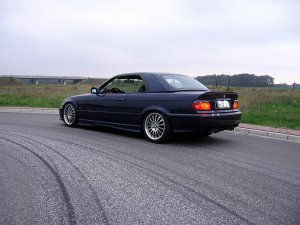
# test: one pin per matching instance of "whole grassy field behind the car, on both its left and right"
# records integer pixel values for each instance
(261, 106)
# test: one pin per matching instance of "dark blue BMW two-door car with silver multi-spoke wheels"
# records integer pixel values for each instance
(156, 104)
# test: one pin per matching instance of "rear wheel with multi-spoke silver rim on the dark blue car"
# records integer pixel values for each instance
(156, 127)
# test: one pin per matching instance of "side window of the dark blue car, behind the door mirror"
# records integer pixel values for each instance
(124, 84)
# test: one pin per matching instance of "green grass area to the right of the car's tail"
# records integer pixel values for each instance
(269, 107)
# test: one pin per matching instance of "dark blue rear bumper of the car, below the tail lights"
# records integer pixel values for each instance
(212, 121)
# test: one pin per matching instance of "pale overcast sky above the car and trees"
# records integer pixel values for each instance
(99, 38)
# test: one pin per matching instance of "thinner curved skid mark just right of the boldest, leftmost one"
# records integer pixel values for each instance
(97, 200)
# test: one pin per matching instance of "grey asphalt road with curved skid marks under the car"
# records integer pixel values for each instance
(52, 174)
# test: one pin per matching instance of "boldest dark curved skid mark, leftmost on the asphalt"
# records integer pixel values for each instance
(65, 195)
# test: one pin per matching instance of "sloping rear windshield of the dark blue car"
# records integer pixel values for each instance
(182, 82)
